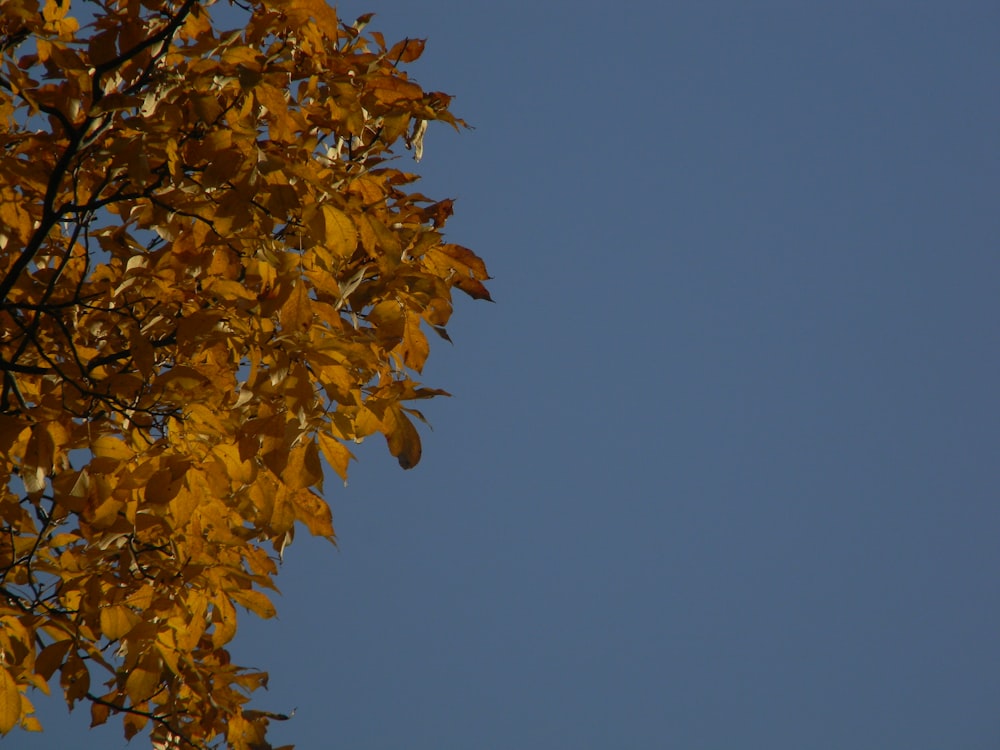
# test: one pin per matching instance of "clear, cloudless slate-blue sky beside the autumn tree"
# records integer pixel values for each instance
(722, 465)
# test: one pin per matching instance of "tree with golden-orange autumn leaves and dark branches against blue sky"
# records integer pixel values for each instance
(214, 273)
